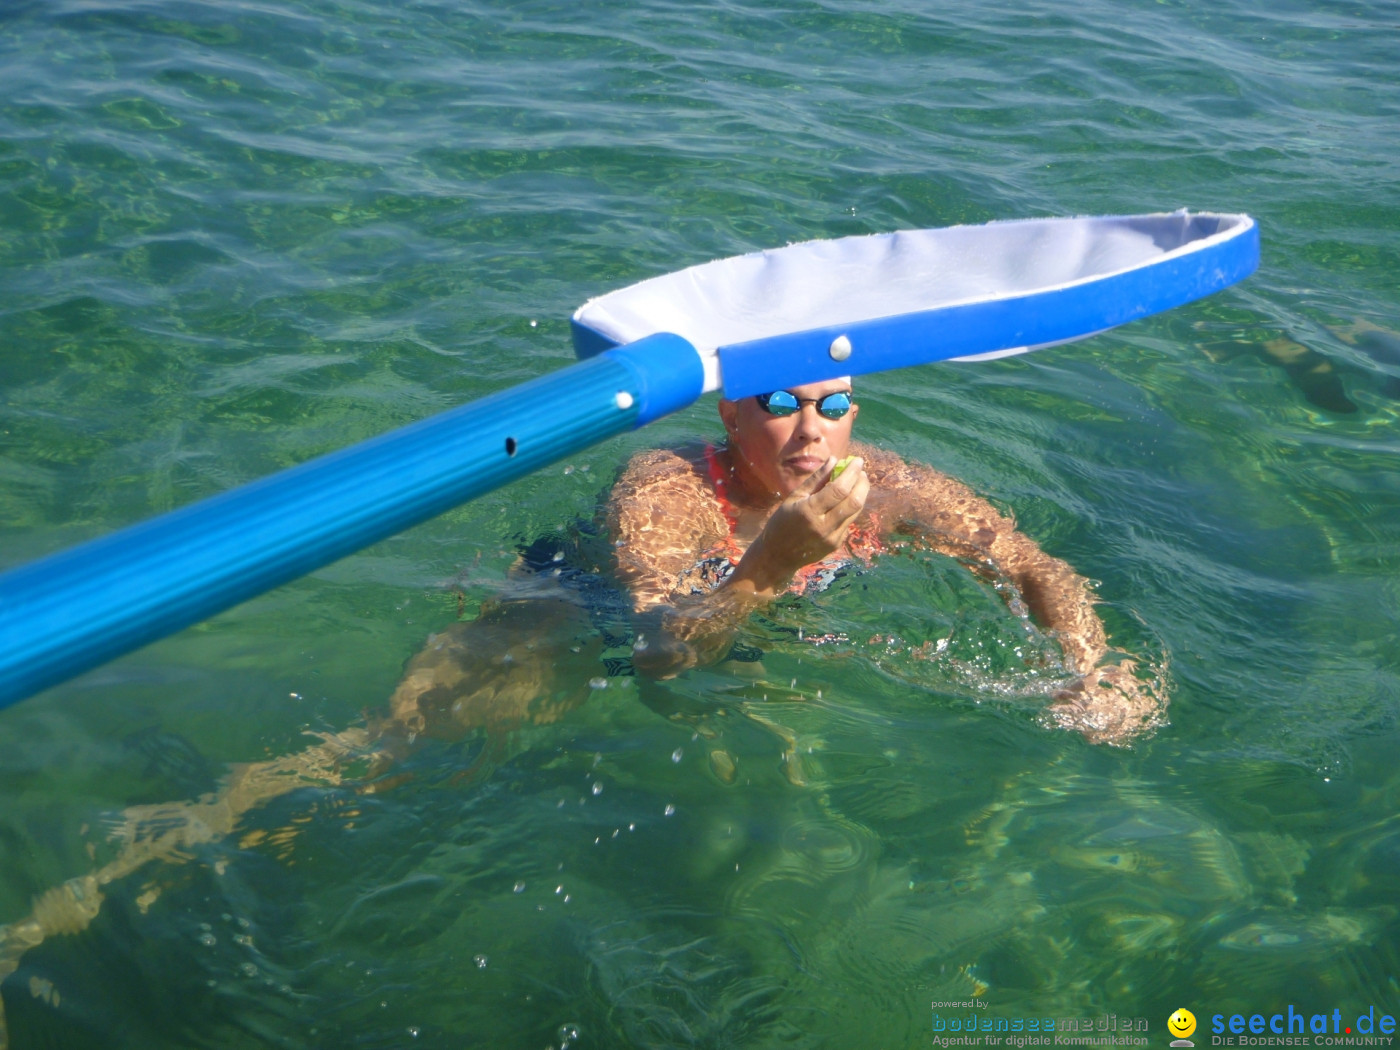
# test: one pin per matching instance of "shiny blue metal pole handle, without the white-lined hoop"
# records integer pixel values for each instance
(69, 612)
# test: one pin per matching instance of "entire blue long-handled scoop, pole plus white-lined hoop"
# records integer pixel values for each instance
(747, 325)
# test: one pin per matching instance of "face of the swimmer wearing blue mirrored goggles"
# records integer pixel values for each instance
(776, 454)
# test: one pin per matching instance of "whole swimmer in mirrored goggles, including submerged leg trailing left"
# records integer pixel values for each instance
(702, 540)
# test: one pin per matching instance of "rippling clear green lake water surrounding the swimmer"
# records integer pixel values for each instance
(237, 236)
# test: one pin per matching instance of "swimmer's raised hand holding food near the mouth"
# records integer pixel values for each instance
(808, 526)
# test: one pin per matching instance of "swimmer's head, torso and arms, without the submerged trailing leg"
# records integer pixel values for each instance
(706, 538)
